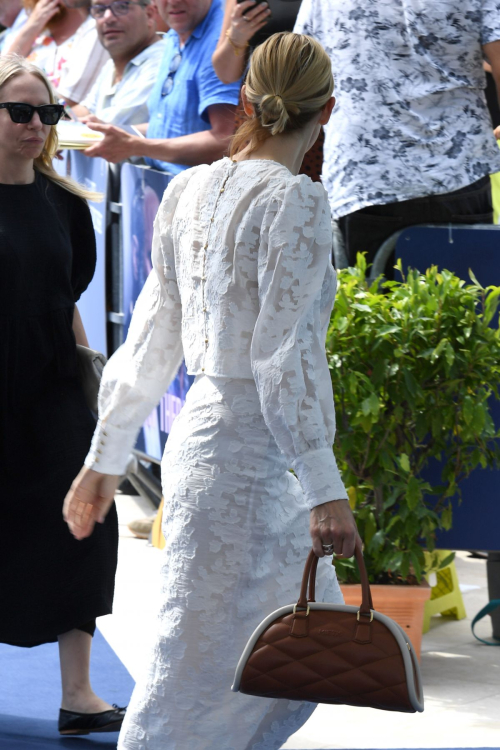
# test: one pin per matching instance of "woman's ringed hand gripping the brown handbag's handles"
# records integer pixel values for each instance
(333, 523)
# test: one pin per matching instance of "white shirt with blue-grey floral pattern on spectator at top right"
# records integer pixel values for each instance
(411, 116)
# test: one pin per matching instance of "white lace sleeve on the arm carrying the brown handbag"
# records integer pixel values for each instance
(288, 345)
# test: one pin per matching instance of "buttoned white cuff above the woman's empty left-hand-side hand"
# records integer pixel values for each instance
(110, 449)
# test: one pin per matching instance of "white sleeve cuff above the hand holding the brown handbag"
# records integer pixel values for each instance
(319, 477)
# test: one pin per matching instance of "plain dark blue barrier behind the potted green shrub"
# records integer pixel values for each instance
(476, 521)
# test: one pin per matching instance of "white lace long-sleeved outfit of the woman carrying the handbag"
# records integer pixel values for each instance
(242, 287)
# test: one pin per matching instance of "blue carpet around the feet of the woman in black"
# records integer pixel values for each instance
(30, 696)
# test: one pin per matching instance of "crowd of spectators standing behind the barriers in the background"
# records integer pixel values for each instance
(411, 135)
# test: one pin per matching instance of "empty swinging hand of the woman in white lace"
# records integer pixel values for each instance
(88, 501)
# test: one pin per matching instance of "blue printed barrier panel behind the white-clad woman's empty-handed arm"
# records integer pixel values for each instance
(141, 191)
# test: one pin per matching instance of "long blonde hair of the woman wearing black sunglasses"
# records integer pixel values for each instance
(12, 66)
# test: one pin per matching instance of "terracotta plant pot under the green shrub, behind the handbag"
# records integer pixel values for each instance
(404, 604)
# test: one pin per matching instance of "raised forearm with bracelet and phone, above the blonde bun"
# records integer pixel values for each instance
(241, 23)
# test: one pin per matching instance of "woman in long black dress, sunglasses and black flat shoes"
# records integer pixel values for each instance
(52, 587)
